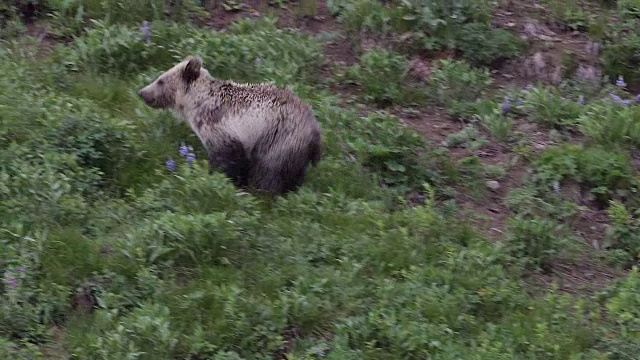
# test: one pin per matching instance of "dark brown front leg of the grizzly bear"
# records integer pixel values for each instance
(230, 157)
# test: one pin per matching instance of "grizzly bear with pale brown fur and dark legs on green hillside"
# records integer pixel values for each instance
(261, 136)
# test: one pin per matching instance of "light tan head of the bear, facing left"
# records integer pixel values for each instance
(162, 93)
